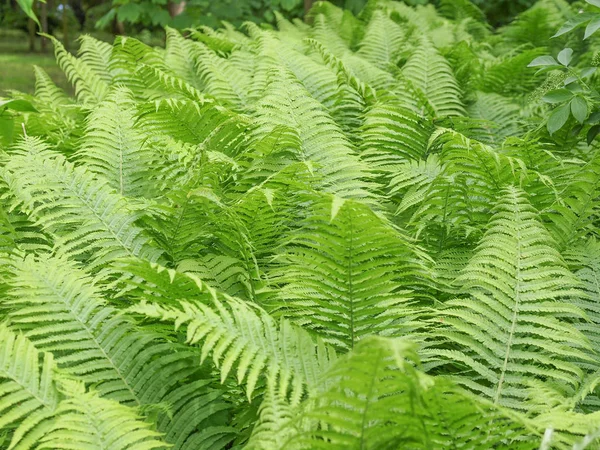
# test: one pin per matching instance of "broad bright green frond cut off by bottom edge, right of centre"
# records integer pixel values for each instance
(376, 399)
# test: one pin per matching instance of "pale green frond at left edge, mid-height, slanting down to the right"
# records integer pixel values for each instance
(89, 219)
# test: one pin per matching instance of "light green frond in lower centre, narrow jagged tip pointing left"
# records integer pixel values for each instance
(242, 335)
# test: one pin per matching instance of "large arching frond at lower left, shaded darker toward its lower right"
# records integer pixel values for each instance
(60, 309)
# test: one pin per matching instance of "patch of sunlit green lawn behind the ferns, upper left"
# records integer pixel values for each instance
(16, 64)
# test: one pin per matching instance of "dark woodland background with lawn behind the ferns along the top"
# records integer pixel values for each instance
(21, 47)
